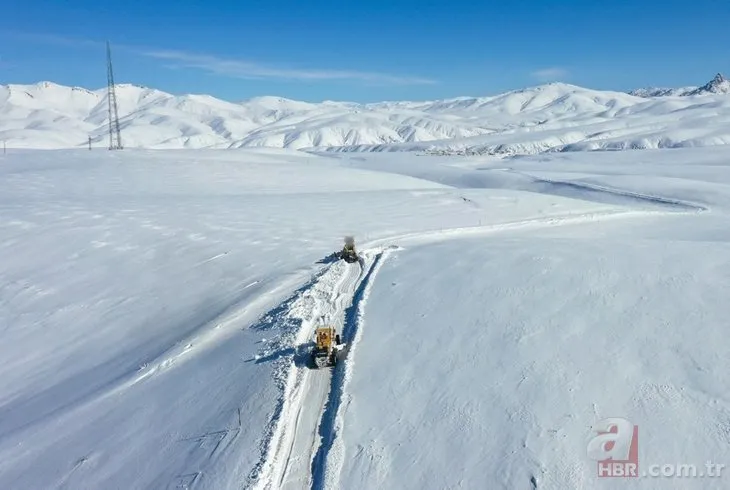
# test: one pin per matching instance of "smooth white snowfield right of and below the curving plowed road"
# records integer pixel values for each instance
(484, 362)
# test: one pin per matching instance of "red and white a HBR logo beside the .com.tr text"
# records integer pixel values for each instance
(615, 448)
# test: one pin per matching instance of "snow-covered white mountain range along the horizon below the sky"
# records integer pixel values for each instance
(553, 117)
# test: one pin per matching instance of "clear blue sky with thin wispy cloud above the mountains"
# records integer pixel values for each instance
(365, 51)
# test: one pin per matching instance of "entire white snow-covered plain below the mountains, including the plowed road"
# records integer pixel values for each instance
(156, 307)
